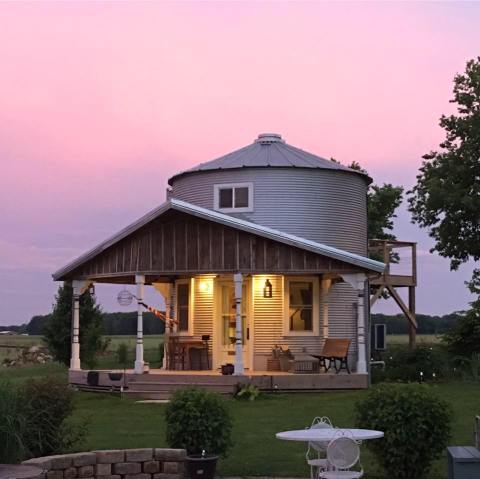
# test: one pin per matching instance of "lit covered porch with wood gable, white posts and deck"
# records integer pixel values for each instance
(231, 288)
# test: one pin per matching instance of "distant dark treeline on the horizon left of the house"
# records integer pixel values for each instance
(113, 323)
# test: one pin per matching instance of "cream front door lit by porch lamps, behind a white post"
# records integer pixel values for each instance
(226, 322)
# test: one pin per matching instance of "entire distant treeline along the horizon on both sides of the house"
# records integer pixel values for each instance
(126, 324)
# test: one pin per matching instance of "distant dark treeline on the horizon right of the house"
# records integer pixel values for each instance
(398, 324)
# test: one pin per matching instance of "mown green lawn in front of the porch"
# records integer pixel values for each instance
(123, 423)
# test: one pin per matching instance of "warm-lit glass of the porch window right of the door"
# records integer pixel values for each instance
(301, 306)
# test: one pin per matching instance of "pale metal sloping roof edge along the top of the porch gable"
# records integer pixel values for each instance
(226, 220)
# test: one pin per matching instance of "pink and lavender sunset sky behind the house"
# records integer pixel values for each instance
(101, 102)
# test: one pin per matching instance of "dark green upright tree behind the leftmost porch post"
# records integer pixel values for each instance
(57, 332)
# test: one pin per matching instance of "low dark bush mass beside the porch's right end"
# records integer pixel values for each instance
(404, 364)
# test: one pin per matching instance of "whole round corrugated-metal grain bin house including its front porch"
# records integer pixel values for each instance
(263, 247)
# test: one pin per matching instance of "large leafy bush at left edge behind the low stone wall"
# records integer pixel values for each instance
(35, 420)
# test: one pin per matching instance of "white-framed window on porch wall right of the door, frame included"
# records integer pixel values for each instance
(301, 306)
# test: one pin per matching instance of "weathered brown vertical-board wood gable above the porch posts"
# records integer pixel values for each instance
(180, 244)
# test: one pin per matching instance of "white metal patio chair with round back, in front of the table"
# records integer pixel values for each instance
(343, 453)
